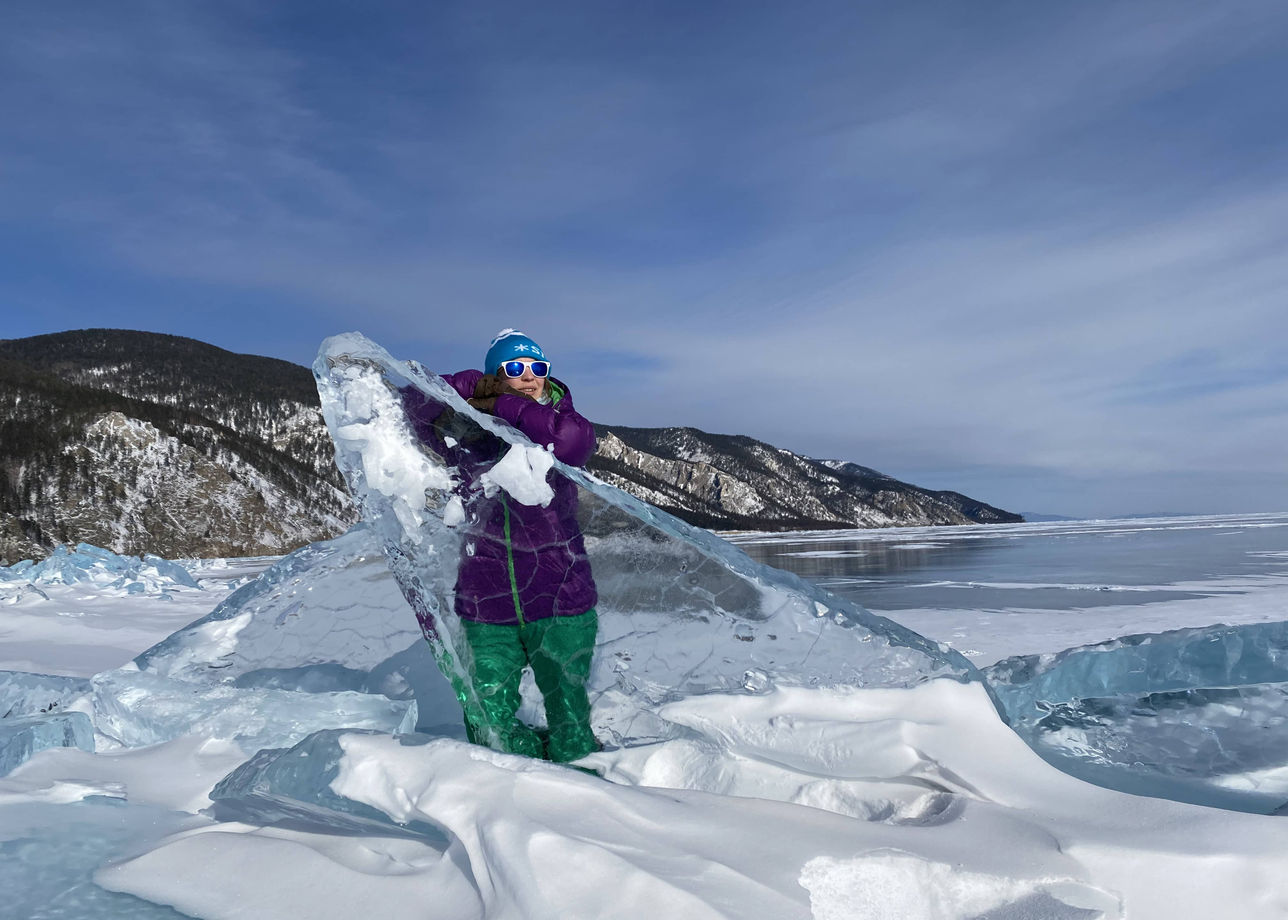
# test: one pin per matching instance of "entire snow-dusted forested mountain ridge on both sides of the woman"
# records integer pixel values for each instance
(145, 443)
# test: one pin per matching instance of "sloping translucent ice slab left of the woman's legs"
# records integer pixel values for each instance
(321, 640)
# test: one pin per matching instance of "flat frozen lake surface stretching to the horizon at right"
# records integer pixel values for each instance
(994, 592)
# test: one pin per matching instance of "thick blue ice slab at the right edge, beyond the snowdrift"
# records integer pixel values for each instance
(1193, 714)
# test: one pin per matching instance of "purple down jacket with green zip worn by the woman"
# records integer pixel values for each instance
(518, 562)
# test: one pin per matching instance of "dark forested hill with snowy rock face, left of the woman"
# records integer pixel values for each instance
(144, 443)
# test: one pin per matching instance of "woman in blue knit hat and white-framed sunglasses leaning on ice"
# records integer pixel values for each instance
(525, 593)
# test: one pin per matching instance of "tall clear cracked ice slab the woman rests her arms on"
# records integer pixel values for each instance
(682, 611)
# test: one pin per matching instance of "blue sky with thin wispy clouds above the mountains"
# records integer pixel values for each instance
(1037, 253)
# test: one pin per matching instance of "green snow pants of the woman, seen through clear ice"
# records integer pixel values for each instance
(560, 651)
